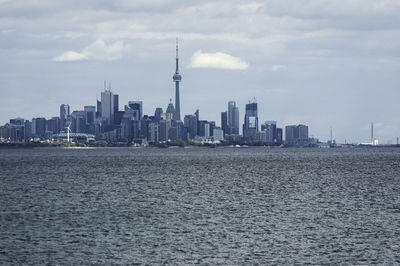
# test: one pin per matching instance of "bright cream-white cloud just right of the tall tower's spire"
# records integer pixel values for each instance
(216, 60)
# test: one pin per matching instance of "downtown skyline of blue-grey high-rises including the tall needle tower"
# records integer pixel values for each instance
(106, 122)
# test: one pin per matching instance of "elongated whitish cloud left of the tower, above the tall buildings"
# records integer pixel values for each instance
(98, 50)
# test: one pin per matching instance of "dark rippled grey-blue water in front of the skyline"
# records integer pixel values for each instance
(208, 206)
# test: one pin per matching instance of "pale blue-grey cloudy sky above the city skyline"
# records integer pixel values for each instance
(319, 62)
